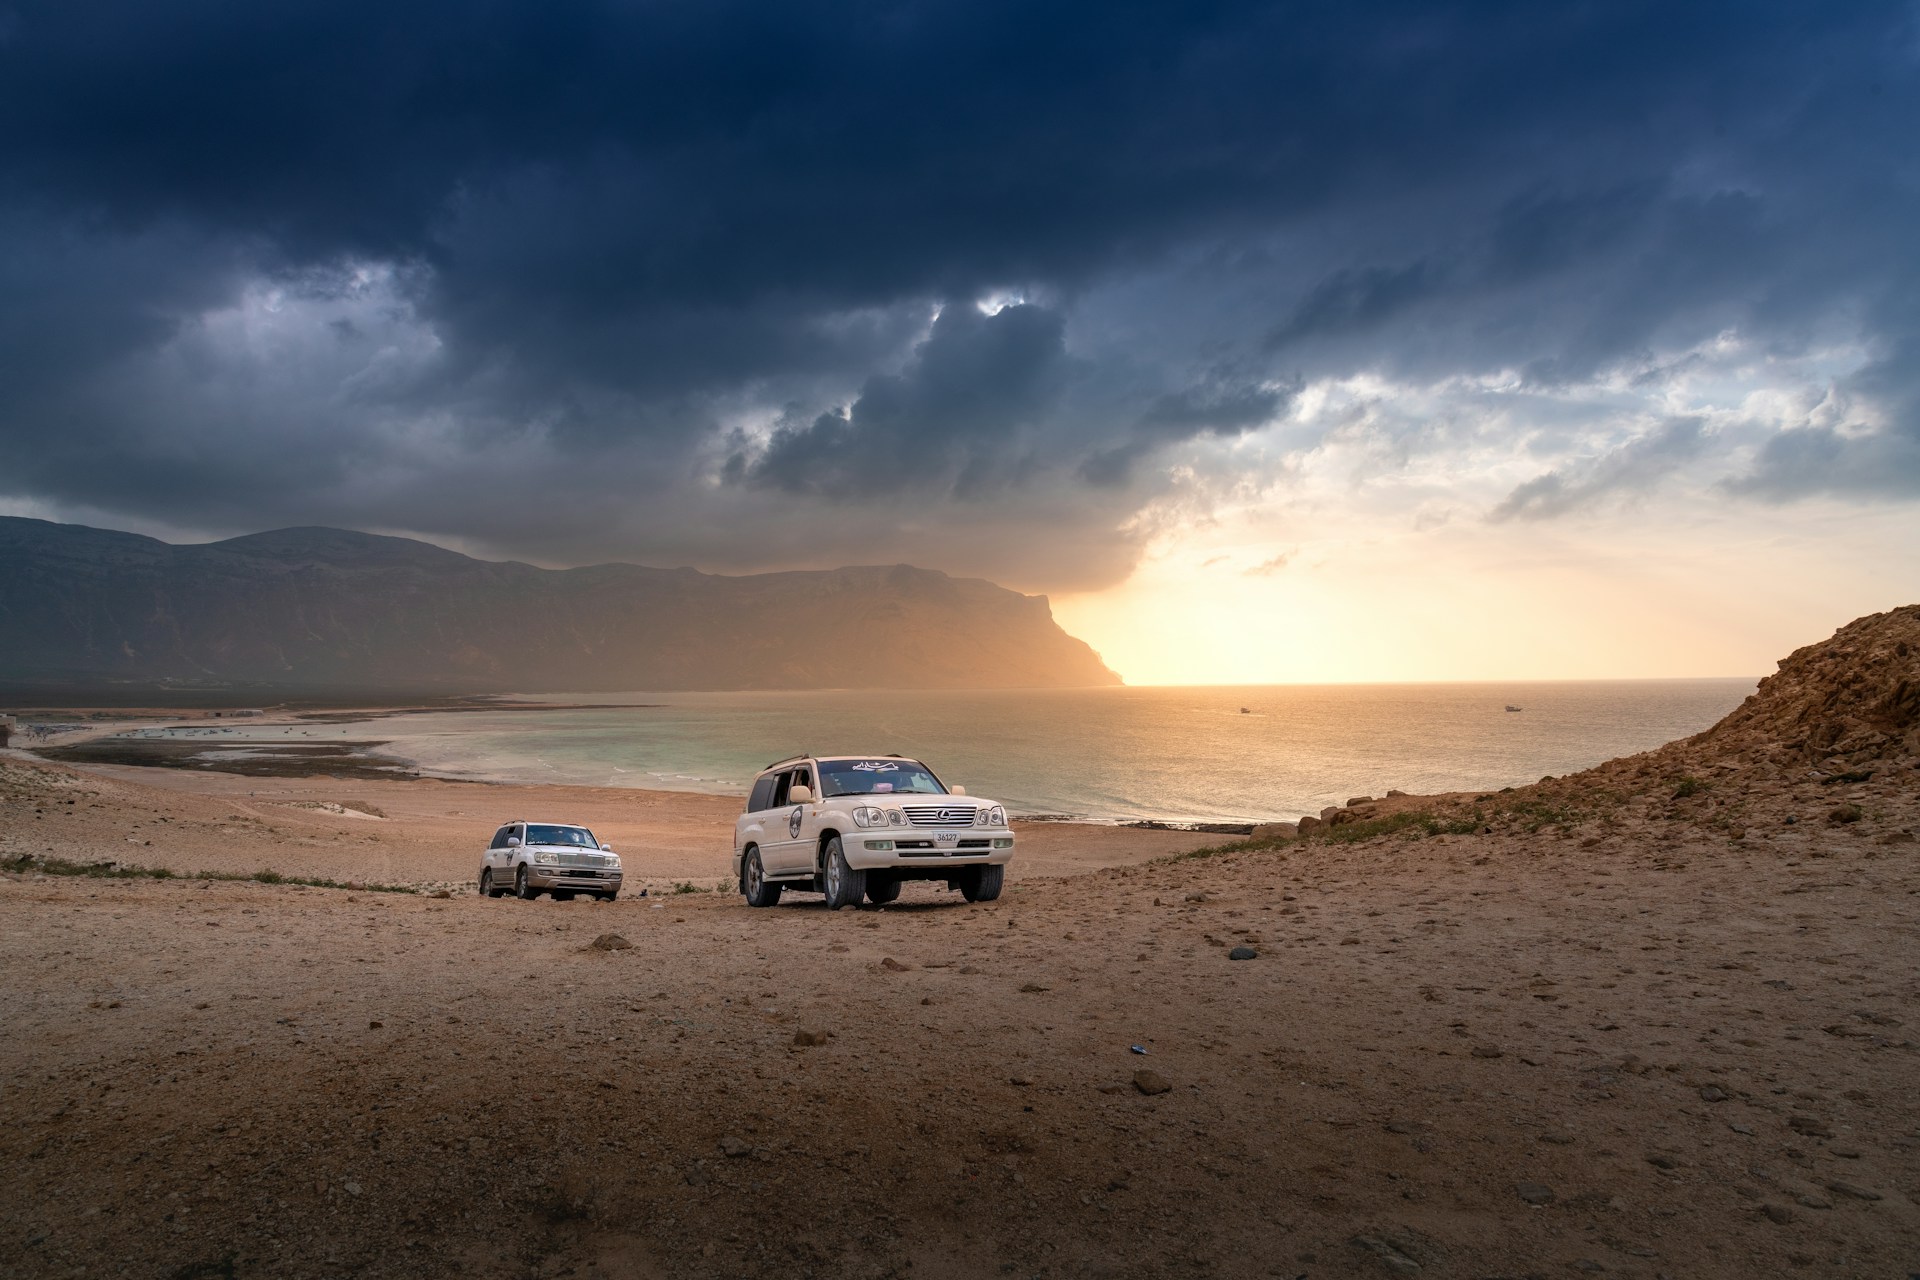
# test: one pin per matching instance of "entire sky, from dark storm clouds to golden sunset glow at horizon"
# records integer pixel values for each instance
(1274, 343)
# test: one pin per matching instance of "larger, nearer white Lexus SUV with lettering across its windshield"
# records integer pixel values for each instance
(863, 826)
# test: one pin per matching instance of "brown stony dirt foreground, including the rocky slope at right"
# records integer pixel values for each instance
(1658, 1020)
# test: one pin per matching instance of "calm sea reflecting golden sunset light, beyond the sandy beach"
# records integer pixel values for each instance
(1178, 755)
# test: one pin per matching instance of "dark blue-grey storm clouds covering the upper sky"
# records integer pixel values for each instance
(347, 262)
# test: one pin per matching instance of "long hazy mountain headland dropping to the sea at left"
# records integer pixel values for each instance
(341, 611)
